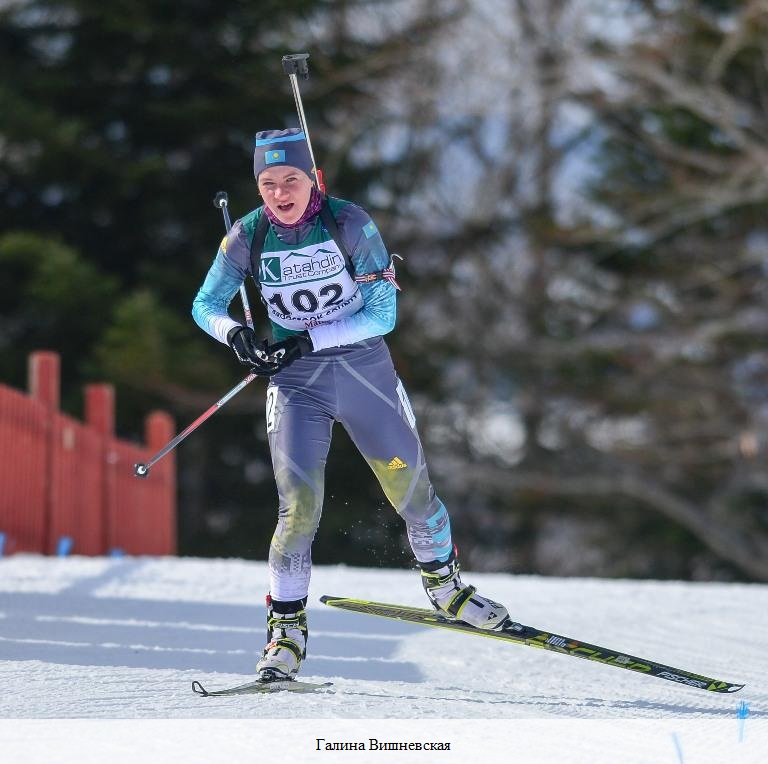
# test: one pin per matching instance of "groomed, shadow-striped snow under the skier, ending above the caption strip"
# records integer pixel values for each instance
(94, 638)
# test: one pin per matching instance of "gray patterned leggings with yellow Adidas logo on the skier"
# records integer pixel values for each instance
(357, 386)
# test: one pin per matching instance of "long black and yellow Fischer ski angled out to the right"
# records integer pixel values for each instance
(528, 635)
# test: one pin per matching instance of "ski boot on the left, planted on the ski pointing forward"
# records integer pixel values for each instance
(286, 640)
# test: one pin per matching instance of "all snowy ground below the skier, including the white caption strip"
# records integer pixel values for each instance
(97, 657)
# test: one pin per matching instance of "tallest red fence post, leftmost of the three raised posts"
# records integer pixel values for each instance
(44, 381)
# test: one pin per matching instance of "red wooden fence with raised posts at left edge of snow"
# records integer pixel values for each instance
(65, 479)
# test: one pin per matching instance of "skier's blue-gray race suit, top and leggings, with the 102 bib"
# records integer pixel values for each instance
(349, 378)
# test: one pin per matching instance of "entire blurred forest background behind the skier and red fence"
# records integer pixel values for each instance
(579, 190)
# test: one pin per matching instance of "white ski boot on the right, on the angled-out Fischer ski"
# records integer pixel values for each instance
(457, 601)
